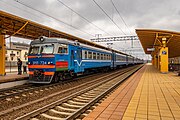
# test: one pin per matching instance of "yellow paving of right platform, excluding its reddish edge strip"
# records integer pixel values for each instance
(157, 97)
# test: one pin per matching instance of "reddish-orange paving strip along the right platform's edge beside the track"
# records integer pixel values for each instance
(115, 105)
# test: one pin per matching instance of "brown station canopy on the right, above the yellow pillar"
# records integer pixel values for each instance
(152, 38)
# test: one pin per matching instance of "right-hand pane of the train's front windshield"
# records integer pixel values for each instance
(47, 49)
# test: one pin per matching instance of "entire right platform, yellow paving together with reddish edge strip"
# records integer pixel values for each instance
(148, 94)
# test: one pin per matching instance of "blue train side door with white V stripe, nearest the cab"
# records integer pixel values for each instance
(78, 60)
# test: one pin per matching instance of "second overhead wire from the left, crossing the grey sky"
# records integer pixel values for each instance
(83, 17)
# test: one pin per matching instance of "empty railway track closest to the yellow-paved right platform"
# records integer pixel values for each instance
(74, 105)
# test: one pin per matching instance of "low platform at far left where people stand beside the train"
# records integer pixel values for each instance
(11, 77)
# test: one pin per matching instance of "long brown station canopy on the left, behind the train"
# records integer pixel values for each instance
(19, 27)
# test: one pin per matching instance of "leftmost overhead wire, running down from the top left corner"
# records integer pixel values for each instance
(51, 17)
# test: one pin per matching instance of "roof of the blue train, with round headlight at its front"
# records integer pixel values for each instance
(67, 41)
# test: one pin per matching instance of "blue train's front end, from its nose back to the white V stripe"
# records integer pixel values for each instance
(62, 60)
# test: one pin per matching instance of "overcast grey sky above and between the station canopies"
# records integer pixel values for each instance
(85, 19)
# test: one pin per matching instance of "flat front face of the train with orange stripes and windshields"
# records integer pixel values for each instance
(41, 63)
